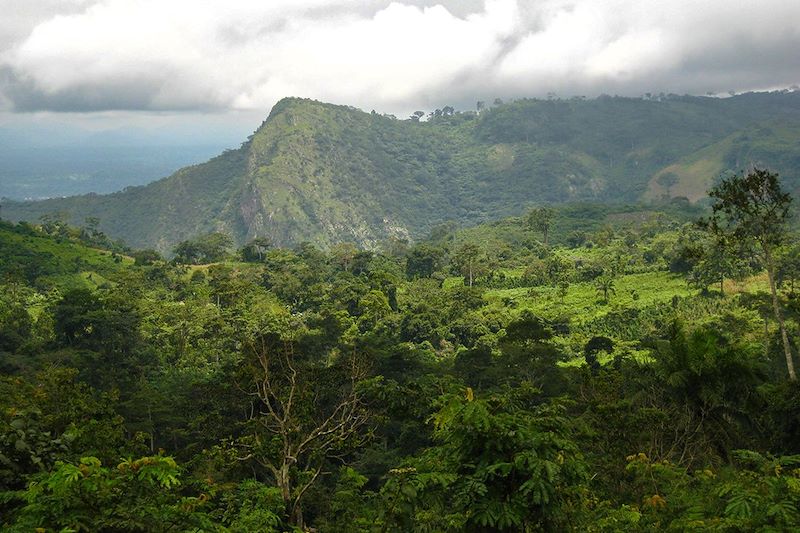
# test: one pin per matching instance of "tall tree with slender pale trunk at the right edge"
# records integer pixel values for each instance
(751, 211)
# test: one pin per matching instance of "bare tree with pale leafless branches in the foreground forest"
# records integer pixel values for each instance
(311, 412)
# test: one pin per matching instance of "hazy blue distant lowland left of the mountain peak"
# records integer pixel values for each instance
(48, 155)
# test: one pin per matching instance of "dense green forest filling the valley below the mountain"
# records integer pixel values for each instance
(619, 375)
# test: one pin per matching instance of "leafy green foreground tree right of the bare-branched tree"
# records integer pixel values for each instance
(497, 464)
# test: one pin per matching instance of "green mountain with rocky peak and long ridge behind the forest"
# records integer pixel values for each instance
(328, 173)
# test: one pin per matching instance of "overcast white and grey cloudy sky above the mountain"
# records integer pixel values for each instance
(108, 62)
